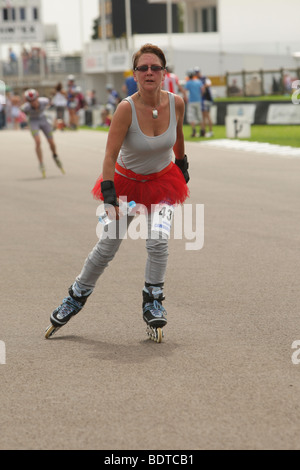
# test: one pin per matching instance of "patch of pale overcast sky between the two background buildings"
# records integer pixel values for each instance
(66, 14)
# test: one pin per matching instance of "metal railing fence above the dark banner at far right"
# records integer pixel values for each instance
(261, 82)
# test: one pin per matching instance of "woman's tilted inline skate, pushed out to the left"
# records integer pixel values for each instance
(70, 306)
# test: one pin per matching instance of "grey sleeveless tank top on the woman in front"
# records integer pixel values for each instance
(144, 154)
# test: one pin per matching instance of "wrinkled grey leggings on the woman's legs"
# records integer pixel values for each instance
(105, 250)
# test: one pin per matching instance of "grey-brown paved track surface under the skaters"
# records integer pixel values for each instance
(226, 375)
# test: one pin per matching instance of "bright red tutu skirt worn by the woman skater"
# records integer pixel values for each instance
(170, 187)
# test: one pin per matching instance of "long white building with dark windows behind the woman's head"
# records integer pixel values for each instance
(219, 36)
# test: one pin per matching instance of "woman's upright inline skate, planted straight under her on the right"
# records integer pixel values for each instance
(153, 311)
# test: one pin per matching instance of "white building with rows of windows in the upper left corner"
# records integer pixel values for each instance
(29, 49)
